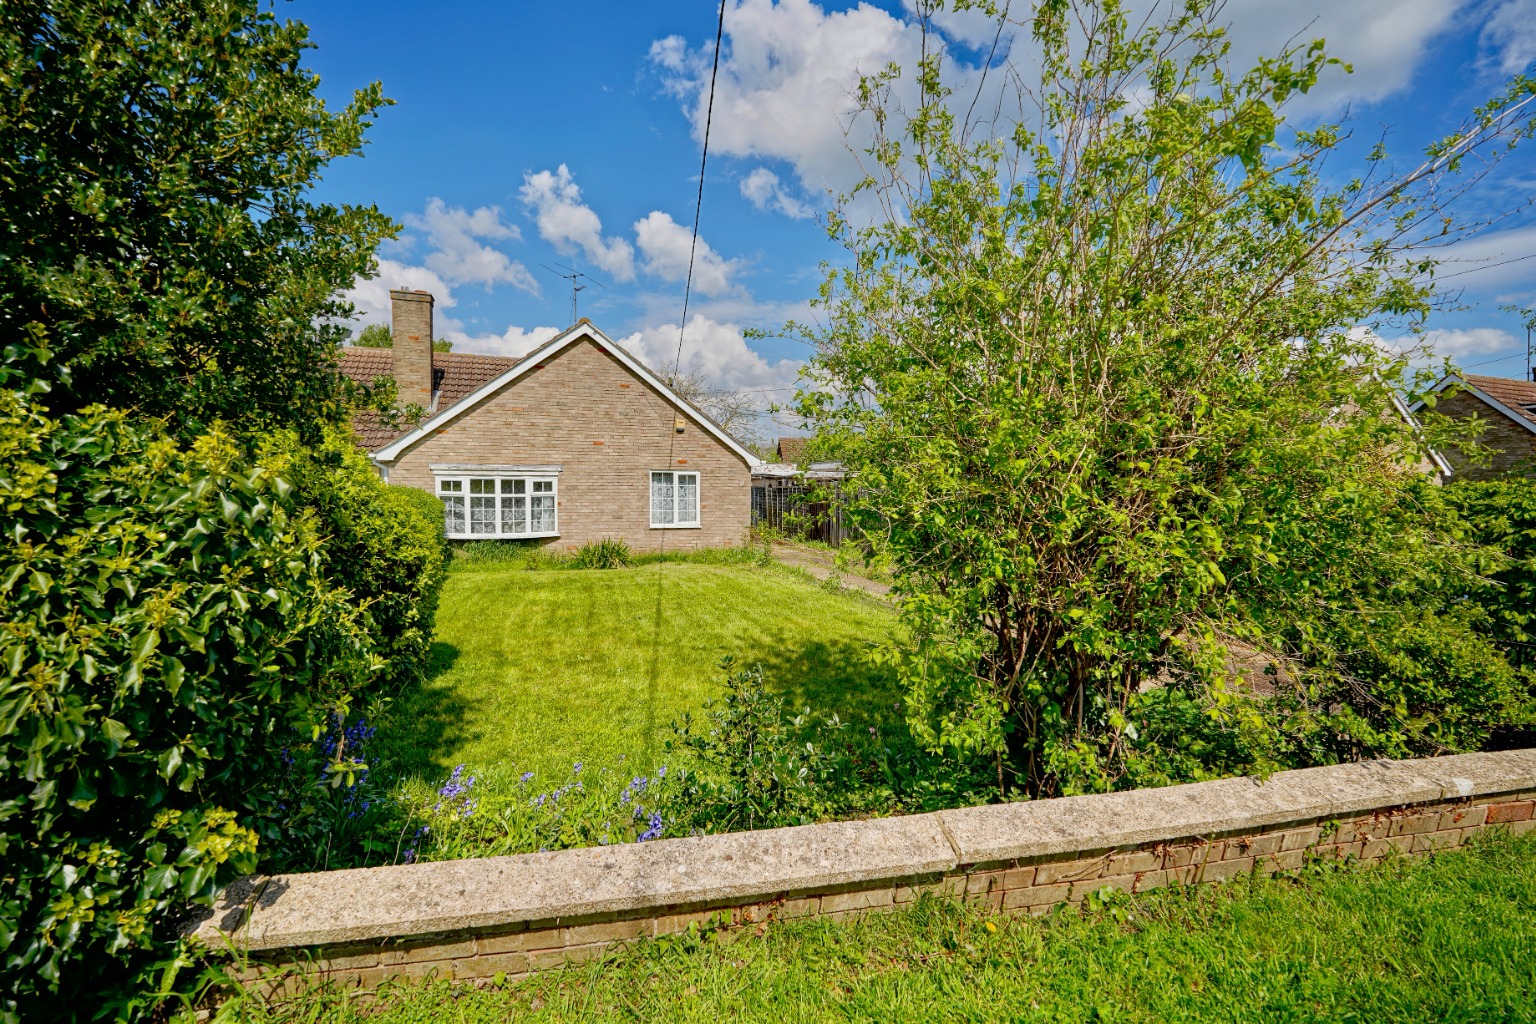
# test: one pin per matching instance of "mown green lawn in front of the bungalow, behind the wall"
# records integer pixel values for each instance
(537, 670)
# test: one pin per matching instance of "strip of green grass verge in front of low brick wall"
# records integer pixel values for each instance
(1445, 939)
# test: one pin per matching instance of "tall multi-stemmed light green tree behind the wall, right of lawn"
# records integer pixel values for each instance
(1099, 375)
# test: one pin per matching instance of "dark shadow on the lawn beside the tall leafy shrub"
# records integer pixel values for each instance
(829, 678)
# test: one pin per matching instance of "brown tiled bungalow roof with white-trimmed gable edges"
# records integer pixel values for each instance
(465, 385)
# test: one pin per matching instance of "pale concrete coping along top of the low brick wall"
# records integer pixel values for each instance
(506, 893)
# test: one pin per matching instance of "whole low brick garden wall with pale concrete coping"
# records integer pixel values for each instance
(512, 916)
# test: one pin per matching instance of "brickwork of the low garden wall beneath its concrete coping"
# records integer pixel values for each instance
(1015, 888)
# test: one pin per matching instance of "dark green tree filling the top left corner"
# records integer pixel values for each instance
(156, 233)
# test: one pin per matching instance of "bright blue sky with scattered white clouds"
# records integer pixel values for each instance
(529, 134)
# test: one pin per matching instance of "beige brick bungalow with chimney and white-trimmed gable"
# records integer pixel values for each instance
(574, 443)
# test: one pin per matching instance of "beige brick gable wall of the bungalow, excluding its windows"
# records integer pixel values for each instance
(586, 412)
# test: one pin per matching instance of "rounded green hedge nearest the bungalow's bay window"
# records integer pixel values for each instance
(385, 544)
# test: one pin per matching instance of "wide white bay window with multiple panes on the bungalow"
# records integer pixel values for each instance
(486, 503)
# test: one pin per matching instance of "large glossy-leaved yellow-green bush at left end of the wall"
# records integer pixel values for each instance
(168, 618)
